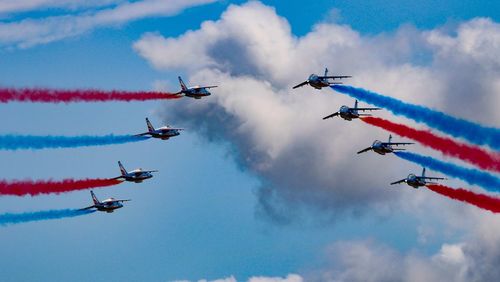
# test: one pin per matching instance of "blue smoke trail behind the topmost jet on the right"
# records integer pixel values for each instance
(456, 127)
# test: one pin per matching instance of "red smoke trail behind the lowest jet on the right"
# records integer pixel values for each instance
(479, 200)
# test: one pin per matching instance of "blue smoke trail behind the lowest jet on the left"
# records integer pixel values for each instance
(15, 218)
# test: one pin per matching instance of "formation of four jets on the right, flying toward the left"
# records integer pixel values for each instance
(349, 114)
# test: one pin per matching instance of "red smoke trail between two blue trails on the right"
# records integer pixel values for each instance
(474, 155)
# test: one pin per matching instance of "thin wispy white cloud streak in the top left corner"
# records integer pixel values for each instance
(29, 32)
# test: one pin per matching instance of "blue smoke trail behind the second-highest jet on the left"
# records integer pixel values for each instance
(18, 142)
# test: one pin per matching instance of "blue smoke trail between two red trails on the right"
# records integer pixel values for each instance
(469, 175)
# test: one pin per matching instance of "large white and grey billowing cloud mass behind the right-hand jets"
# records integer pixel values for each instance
(309, 164)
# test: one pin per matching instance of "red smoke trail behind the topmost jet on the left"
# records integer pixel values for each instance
(66, 96)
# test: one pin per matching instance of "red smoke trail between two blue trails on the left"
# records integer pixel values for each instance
(33, 188)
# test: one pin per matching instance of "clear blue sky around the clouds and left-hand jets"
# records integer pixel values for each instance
(198, 217)
